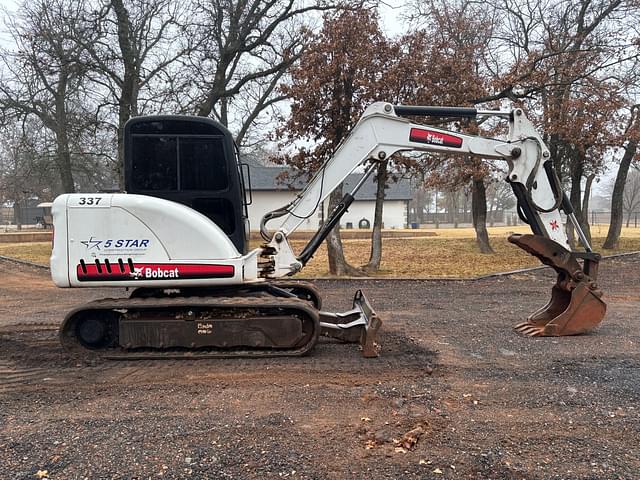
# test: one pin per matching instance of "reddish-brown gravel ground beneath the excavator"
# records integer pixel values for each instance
(471, 398)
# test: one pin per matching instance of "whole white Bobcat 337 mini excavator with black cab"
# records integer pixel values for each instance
(178, 238)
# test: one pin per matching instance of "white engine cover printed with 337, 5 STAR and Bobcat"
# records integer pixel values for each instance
(141, 241)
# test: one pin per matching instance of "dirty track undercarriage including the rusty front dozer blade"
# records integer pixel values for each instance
(261, 320)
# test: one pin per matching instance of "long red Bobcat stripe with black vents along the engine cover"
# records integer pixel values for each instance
(151, 271)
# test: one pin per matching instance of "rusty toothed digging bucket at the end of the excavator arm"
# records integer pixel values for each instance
(576, 306)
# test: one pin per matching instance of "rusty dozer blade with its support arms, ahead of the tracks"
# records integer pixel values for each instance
(358, 325)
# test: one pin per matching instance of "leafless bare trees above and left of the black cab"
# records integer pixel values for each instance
(77, 70)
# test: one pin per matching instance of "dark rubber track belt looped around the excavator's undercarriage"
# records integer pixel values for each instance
(76, 349)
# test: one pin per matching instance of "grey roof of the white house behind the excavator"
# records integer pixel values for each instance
(283, 178)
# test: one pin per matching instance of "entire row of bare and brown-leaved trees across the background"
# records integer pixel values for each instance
(290, 70)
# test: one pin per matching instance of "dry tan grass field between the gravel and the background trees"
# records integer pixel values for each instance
(445, 252)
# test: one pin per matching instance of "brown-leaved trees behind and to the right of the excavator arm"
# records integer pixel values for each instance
(573, 66)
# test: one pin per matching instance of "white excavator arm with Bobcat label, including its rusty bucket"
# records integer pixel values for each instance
(384, 130)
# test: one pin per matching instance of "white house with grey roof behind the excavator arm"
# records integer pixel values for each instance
(272, 188)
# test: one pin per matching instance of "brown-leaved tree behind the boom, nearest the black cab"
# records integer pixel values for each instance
(330, 88)
